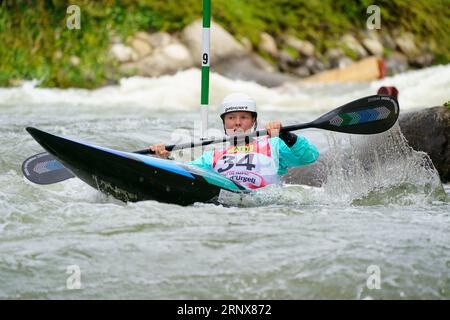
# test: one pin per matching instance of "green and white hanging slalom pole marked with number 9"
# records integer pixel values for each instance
(205, 67)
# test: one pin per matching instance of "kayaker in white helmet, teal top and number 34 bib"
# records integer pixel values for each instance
(255, 163)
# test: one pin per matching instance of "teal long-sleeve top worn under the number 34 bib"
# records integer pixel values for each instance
(301, 153)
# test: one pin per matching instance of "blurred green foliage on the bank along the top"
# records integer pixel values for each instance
(36, 44)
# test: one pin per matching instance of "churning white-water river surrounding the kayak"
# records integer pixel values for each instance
(381, 205)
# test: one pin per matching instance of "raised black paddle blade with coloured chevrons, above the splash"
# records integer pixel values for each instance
(369, 115)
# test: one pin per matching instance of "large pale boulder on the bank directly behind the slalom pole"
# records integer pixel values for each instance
(223, 45)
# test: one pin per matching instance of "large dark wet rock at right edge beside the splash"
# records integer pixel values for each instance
(429, 131)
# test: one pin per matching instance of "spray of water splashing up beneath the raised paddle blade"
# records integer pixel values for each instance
(380, 169)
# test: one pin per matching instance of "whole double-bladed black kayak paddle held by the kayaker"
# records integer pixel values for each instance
(368, 115)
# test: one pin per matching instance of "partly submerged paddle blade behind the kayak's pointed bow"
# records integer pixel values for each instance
(43, 168)
